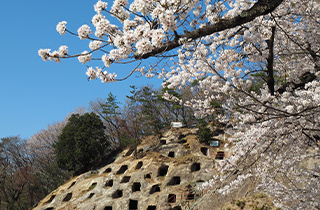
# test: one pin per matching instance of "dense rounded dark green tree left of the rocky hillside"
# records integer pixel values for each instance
(82, 143)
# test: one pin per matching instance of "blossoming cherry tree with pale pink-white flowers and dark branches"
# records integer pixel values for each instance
(260, 57)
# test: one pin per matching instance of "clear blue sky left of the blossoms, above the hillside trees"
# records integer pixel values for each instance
(34, 93)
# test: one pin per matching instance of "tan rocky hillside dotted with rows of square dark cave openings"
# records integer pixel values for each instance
(161, 175)
